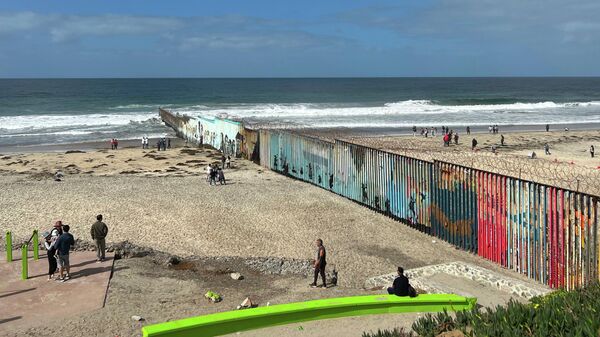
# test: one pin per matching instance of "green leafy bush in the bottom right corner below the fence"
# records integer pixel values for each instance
(561, 313)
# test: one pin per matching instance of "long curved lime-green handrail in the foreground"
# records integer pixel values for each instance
(241, 320)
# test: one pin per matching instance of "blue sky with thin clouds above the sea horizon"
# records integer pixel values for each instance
(333, 38)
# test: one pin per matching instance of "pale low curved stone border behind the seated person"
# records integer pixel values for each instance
(418, 278)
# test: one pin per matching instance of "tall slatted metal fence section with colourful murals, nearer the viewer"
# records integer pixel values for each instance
(547, 233)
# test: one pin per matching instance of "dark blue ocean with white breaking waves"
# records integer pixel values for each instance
(53, 111)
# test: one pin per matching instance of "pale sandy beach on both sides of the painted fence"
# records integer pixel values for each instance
(162, 200)
